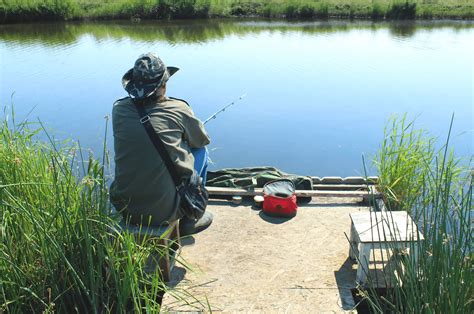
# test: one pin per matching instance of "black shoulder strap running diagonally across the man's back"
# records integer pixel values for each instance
(157, 142)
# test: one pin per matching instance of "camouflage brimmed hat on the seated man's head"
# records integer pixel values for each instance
(146, 76)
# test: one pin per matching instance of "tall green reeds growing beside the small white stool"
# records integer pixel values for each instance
(436, 188)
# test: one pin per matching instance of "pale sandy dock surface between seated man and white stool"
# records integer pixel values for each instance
(248, 262)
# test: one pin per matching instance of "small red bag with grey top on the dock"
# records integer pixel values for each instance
(279, 198)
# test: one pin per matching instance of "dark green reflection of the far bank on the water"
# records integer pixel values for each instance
(202, 30)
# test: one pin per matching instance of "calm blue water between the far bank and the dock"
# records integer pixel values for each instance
(318, 93)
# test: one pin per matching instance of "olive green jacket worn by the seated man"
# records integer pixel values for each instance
(143, 188)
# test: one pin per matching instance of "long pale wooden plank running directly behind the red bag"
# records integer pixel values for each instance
(302, 193)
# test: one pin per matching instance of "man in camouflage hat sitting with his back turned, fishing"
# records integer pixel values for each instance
(143, 189)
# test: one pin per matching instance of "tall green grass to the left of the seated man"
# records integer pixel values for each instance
(59, 251)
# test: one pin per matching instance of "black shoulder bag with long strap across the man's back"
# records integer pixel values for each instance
(193, 195)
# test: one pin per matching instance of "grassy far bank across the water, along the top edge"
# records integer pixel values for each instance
(33, 10)
